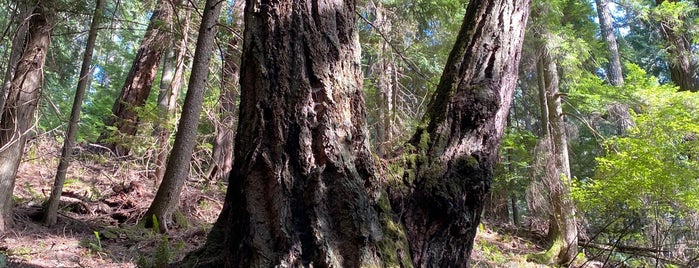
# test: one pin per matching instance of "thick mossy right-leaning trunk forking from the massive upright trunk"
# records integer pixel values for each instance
(457, 146)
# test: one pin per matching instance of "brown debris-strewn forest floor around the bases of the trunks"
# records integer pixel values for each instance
(104, 197)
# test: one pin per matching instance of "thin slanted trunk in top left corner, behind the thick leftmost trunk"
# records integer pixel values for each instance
(18, 43)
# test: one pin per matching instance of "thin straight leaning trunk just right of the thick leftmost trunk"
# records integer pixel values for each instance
(51, 210)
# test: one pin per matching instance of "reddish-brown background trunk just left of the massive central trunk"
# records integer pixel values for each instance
(223, 140)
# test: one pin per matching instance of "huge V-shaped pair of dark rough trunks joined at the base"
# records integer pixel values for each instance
(303, 190)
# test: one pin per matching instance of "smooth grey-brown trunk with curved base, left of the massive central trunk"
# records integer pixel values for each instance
(168, 195)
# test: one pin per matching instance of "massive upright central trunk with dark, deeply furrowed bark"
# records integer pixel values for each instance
(300, 188)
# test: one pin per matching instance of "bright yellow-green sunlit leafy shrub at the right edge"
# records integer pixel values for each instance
(656, 163)
